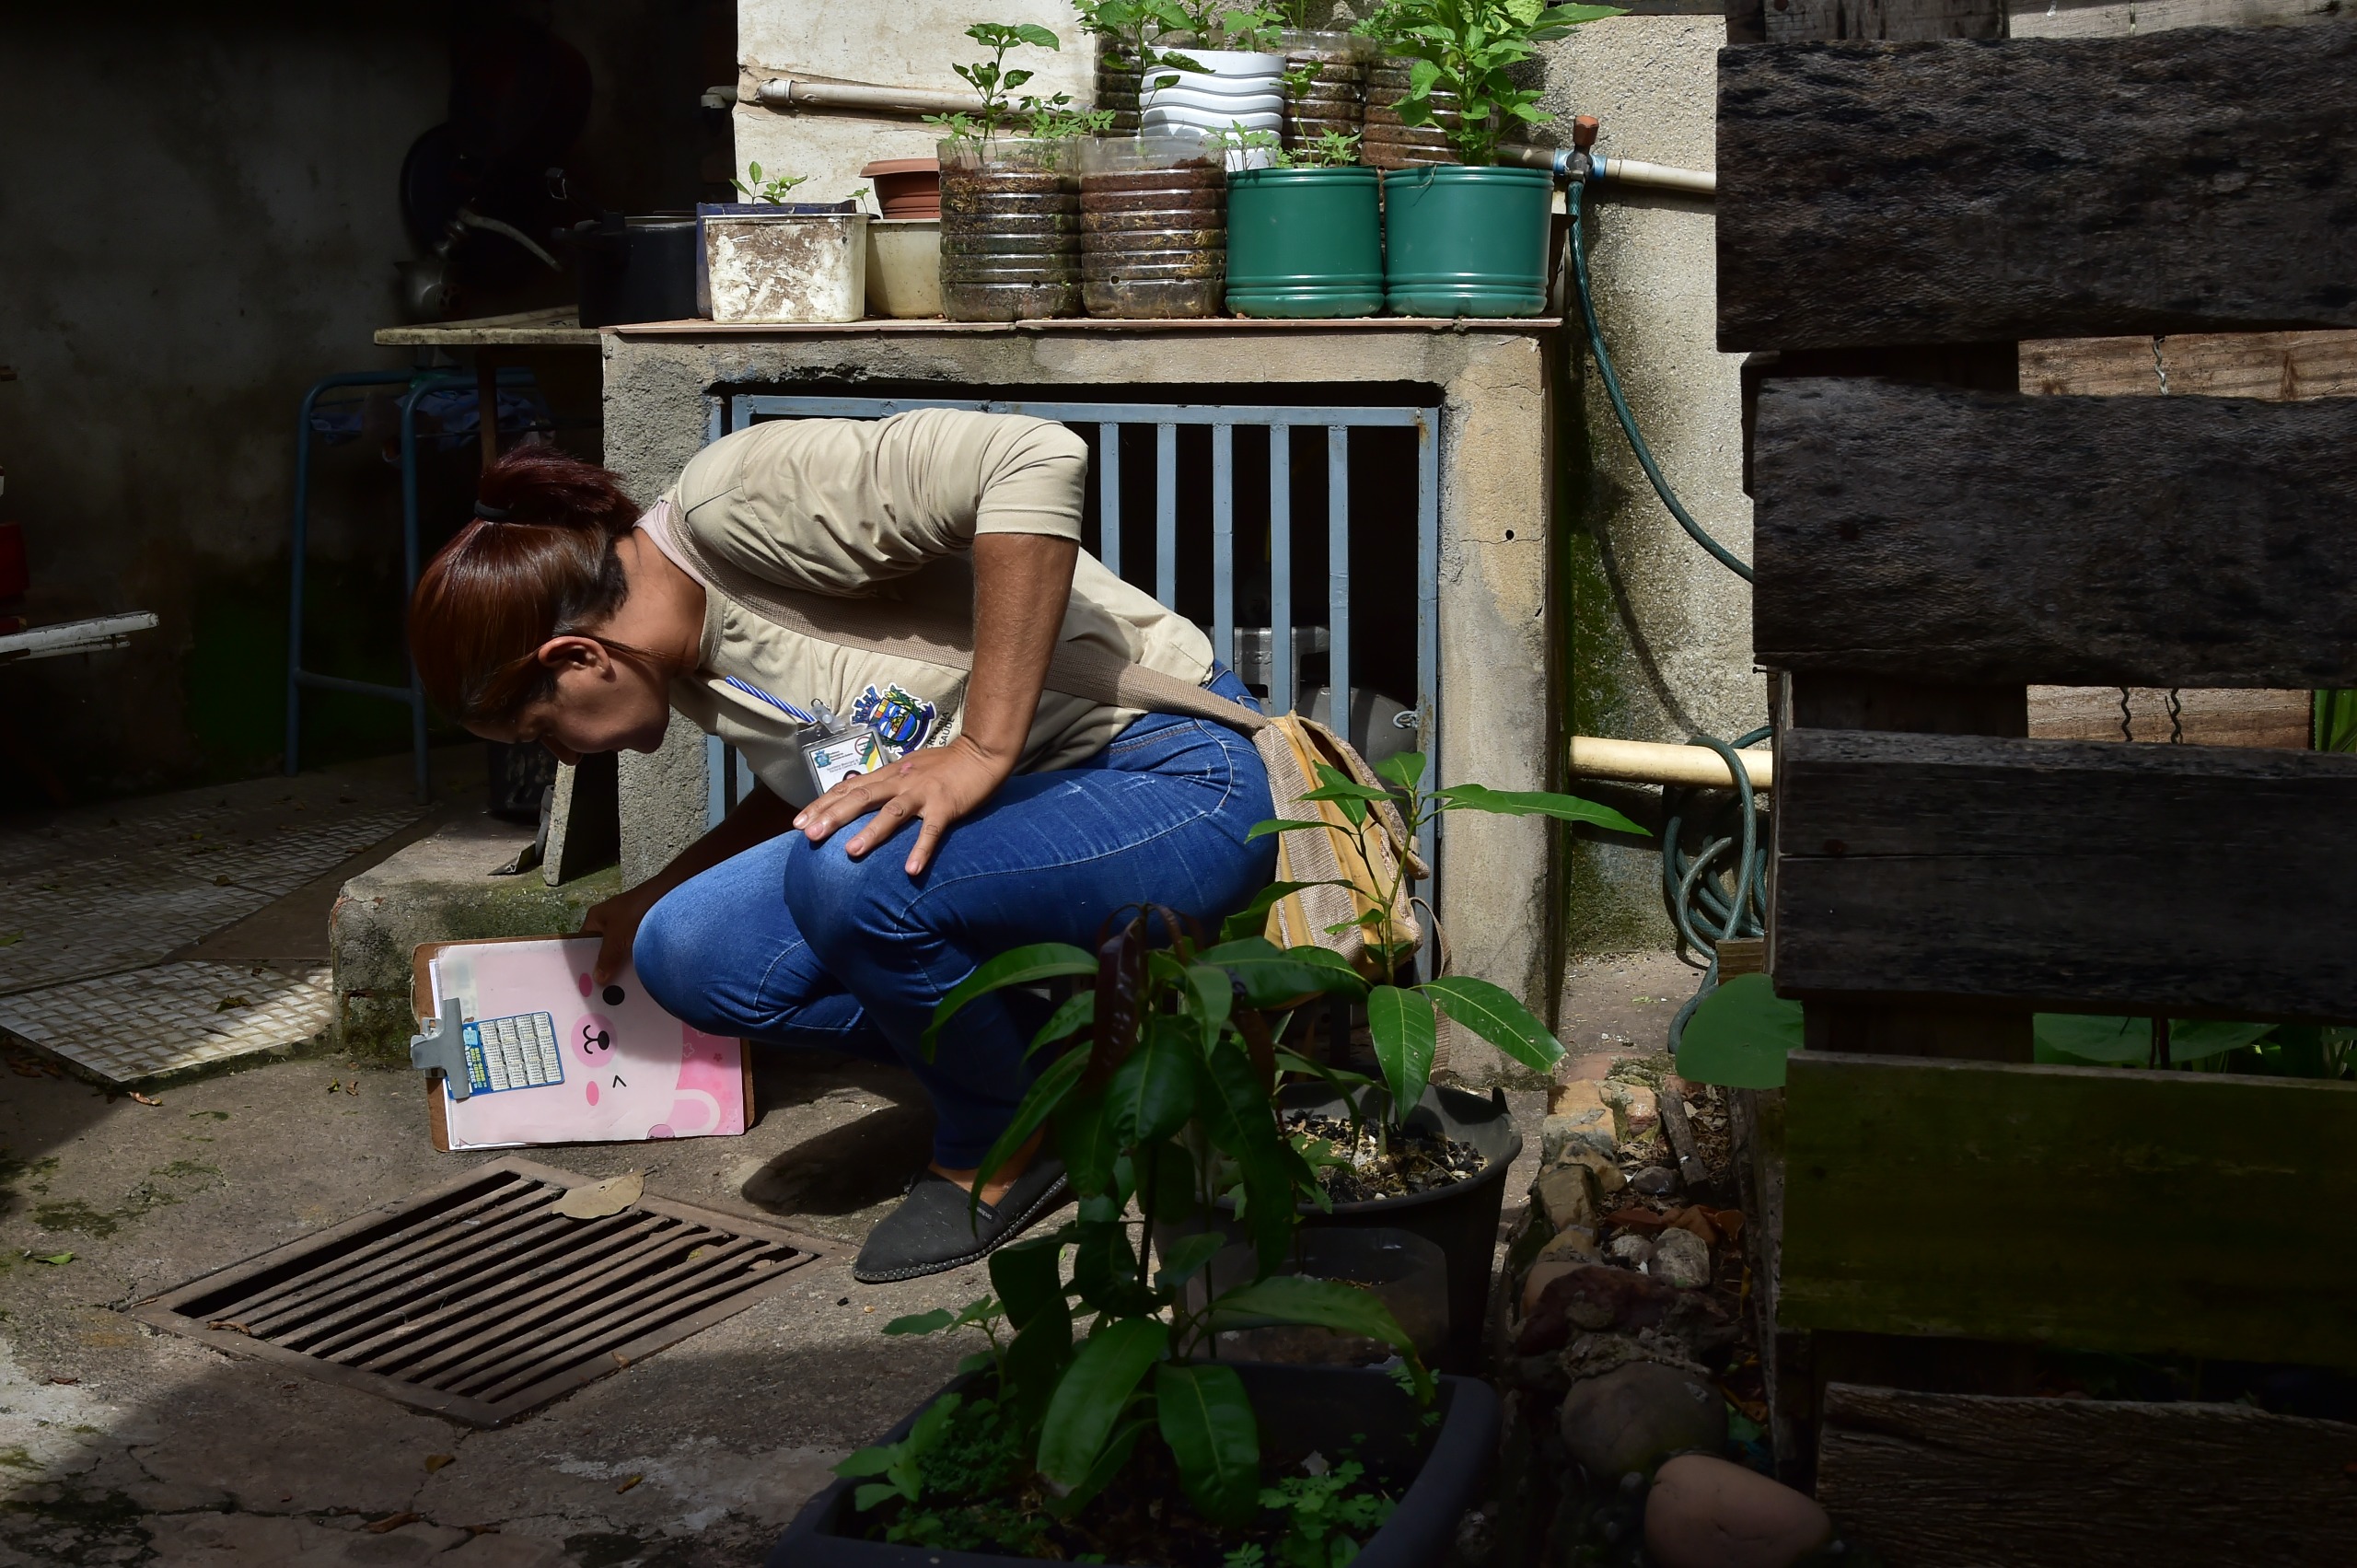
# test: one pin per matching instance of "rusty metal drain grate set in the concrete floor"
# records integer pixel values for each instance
(475, 1300)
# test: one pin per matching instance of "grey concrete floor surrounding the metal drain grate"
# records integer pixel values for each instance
(121, 1444)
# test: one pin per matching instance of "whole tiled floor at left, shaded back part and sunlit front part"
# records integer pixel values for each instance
(98, 902)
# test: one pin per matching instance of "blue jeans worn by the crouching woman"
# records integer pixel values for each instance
(798, 944)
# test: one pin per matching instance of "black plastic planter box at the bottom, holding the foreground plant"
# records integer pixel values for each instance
(1302, 1409)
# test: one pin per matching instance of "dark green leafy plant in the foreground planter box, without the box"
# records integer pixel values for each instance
(1158, 1098)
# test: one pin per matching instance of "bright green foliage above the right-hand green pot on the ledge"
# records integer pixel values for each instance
(1470, 48)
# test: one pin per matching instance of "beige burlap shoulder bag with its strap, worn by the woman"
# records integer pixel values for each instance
(1290, 744)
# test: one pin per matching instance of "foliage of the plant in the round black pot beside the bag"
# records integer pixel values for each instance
(1401, 1020)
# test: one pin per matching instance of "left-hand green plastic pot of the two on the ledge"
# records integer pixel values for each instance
(1305, 244)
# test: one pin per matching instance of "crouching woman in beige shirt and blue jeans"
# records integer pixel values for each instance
(918, 810)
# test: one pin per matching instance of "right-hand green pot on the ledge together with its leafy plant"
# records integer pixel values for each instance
(1472, 239)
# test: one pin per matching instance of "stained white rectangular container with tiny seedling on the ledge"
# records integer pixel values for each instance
(772, 258)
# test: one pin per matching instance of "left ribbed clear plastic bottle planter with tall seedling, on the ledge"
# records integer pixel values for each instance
(1010, 190)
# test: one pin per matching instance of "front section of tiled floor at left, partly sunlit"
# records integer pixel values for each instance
(171, 1017)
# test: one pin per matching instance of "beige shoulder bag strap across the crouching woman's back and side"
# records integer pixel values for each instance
(946, 640)
